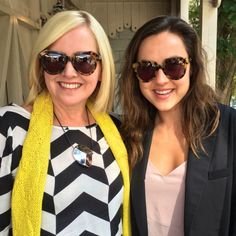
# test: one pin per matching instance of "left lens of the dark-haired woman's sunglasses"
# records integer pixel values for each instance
(145, 71)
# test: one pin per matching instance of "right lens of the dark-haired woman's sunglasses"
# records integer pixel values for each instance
(175, 68)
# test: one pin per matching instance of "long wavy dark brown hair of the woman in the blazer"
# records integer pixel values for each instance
(199, 108)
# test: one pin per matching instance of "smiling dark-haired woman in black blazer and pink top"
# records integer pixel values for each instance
(181, 142)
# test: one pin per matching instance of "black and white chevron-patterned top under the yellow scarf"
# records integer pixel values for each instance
(77, 200)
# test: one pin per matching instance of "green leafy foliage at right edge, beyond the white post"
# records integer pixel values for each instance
(226, 48)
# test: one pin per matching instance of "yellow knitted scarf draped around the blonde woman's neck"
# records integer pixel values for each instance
(31, 176)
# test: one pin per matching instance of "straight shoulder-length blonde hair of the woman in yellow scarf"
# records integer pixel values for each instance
(57, 26)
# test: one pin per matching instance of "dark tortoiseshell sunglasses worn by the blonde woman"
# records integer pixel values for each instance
(54, 62)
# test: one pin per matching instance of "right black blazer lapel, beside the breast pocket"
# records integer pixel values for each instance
(196, 178)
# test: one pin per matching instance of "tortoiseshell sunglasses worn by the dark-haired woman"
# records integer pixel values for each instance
(174, 68)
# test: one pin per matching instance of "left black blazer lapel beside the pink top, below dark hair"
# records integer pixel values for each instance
(138, 188)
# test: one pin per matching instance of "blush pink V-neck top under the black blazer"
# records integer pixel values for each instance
(165, 201)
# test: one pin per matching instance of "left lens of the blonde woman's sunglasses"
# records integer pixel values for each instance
(53, 62)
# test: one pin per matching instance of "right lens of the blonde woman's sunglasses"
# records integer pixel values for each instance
(84, 63)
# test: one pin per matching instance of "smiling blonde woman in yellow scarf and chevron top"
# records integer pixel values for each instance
(64, 168)
